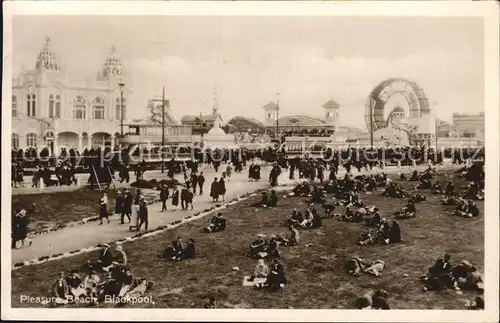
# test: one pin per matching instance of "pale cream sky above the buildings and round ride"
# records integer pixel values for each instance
(249, 59)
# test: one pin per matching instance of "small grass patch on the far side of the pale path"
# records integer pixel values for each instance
(57, 209)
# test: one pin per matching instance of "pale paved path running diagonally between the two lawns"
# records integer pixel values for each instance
(90, 234)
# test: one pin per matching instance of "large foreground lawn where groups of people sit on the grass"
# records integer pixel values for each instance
(315, 273)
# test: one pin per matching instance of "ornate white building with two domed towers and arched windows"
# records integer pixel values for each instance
(51, 109)
